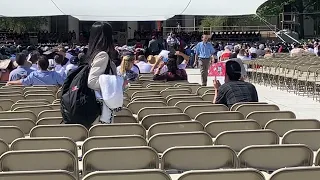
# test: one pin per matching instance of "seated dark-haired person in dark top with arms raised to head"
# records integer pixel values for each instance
(173, 73)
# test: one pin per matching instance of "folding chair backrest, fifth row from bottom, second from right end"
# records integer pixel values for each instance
(207, 117)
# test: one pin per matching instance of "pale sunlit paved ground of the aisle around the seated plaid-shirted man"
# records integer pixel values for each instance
(303, 107)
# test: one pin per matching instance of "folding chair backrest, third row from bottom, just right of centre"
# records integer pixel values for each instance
(163, 141)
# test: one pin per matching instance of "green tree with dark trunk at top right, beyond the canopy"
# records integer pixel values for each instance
(275, 7)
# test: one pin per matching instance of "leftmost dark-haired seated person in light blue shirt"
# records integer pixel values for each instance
(21, 71)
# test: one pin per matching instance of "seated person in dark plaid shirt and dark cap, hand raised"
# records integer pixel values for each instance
(234, 90)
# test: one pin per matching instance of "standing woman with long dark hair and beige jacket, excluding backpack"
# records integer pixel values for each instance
(100, 45)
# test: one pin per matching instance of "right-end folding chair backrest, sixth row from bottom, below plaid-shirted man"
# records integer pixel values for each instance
(246, 109)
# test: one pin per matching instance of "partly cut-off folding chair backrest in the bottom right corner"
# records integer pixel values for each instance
(296, 173)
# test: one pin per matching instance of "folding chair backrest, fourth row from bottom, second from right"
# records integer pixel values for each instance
(216, 127)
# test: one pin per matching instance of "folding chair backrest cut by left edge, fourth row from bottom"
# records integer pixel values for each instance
(10, 133)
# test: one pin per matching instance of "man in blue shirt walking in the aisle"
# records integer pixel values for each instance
(204, 52)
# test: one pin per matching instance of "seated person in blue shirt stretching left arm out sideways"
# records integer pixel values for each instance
(40, 77)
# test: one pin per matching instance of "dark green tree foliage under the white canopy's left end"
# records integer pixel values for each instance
(20, 24)
